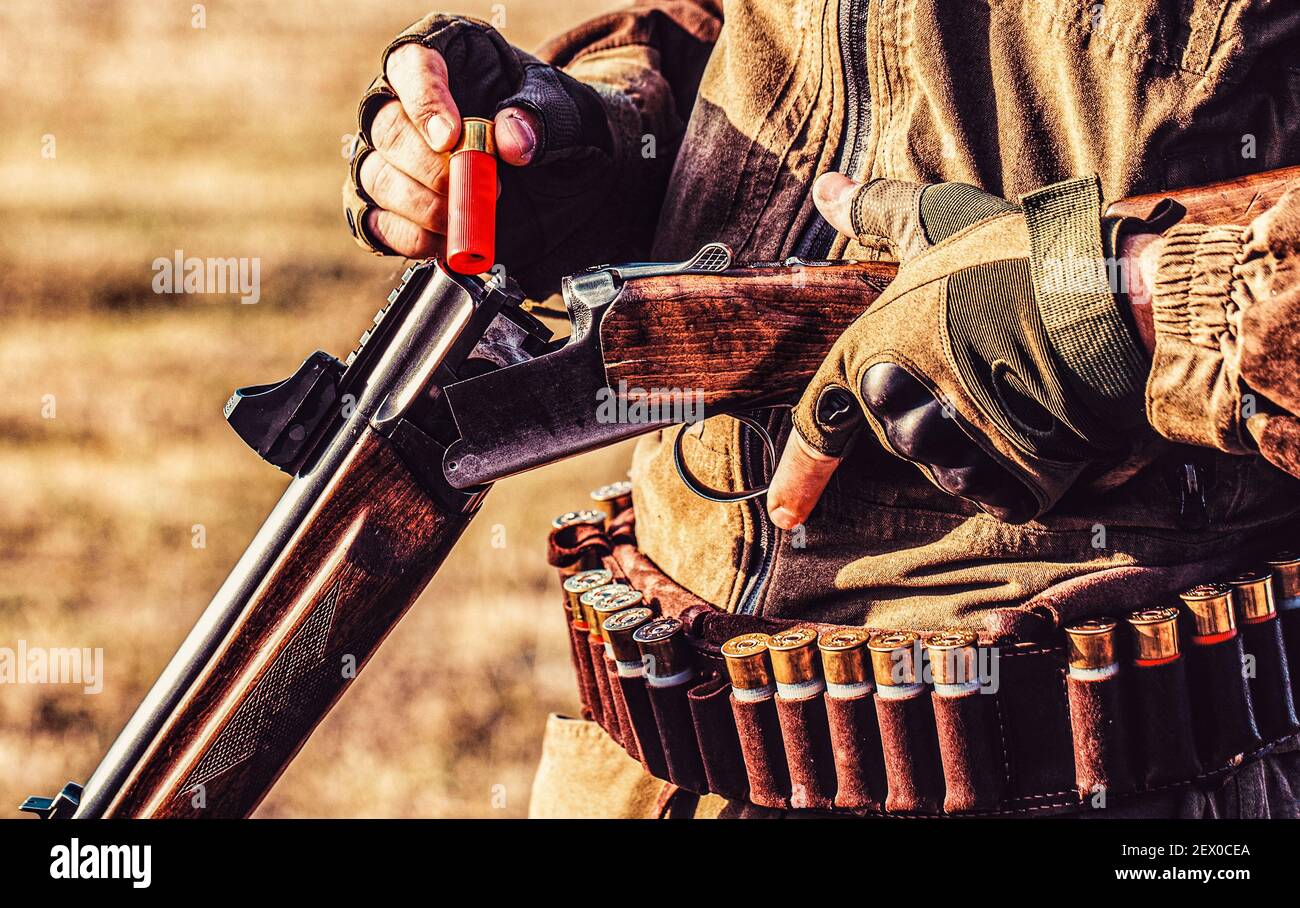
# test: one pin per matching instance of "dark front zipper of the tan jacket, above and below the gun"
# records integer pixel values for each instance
(816, 244)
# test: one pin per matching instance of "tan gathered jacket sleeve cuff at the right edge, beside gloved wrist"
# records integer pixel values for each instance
(1227, 305)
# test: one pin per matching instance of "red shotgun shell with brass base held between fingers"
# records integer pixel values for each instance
(473, 200)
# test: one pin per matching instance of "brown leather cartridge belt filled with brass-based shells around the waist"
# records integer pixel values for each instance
(844, 720)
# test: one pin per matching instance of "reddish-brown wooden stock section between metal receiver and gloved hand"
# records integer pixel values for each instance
(746, 338)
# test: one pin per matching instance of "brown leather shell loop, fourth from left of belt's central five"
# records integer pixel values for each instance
(911, 746)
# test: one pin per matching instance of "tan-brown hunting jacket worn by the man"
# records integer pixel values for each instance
(751, 101)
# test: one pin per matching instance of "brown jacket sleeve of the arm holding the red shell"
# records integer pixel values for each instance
(647, 63)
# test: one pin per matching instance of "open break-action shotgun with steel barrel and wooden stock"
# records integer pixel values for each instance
(453, 387)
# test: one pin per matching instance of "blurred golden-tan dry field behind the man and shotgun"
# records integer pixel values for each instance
(227, 141)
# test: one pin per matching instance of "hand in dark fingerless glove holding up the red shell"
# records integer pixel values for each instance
(552, 132)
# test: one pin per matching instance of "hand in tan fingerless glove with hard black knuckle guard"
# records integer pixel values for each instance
(957, 367)
